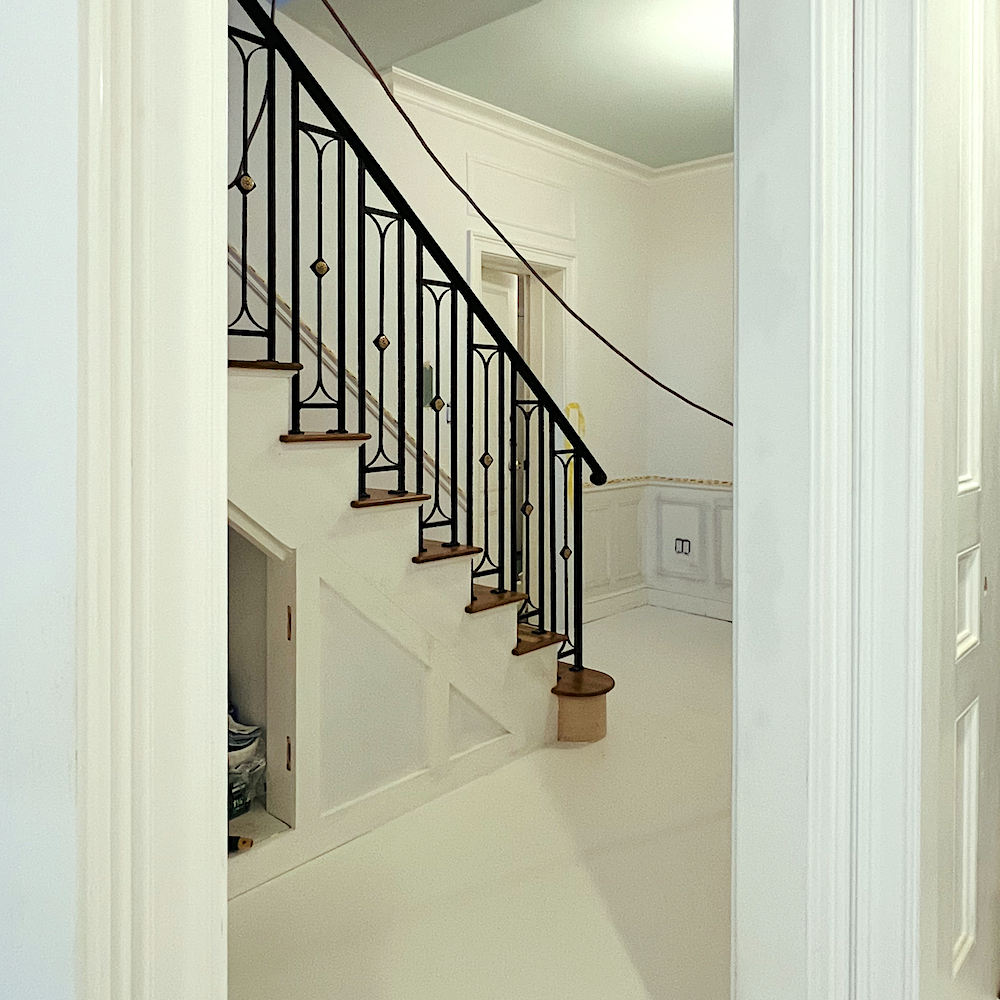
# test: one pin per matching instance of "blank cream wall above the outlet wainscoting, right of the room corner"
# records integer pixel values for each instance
(691, 320)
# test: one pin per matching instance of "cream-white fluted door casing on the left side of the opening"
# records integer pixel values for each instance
(152, 515)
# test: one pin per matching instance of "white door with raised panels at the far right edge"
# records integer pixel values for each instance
(962, 784)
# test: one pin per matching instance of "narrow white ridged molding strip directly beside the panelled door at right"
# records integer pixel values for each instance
(888, 496)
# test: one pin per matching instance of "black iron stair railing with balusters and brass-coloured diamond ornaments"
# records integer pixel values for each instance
(485, 429)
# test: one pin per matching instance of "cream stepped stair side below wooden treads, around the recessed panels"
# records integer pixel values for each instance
(300, 495)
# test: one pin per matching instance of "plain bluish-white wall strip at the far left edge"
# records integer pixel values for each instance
(38, 330)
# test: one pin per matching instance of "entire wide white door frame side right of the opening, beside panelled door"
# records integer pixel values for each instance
(828, 613)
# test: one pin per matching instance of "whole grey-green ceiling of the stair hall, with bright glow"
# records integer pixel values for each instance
(649, 79)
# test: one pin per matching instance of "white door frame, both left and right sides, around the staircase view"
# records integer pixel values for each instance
(817, 445)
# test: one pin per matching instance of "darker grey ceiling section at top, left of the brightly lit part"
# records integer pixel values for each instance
(391, 30)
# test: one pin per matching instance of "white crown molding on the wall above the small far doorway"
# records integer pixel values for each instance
(415, 90)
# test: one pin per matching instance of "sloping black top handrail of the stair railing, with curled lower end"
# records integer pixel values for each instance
(276, 41)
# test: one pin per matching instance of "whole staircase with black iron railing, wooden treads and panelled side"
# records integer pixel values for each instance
(388, 443)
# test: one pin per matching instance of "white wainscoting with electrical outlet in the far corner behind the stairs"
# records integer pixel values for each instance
(663, 542)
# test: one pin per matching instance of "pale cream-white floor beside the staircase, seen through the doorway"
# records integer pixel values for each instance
(577, 873)
